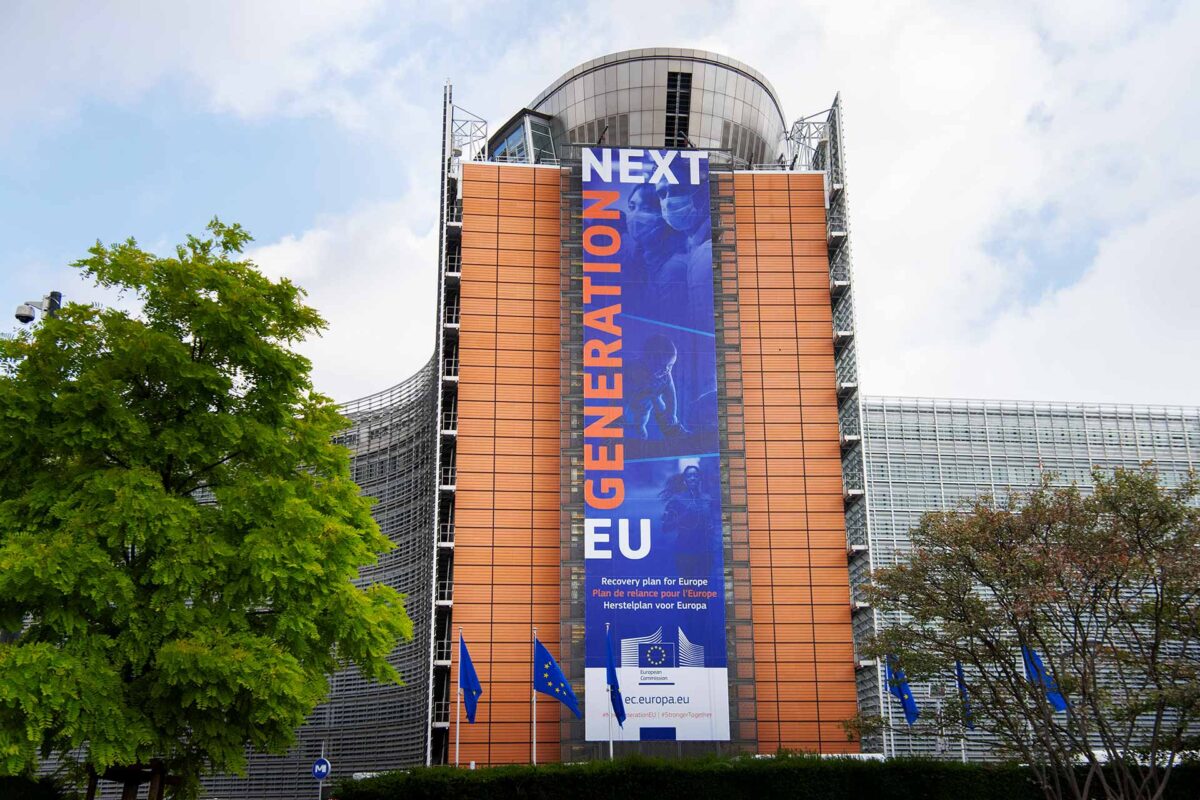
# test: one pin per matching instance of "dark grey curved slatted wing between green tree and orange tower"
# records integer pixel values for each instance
(365, 726)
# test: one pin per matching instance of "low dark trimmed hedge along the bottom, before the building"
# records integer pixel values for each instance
(759, 779)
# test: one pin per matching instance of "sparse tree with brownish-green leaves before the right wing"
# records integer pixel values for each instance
(1103, 587)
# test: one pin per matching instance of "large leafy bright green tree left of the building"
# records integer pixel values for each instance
(178, 532)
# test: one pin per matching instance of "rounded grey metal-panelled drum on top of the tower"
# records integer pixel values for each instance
(668, 98)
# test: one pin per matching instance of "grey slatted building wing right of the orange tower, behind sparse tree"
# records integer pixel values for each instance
(927, 455)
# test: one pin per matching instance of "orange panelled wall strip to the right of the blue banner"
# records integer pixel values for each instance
(797, 532)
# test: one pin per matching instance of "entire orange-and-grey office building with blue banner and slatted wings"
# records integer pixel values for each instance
(641, 428)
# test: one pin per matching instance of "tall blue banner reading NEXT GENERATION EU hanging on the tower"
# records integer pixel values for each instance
(653, 544)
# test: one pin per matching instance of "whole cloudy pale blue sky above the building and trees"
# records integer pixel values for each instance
(1023, 177)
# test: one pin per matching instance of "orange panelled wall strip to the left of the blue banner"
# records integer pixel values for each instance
(507, 495)
